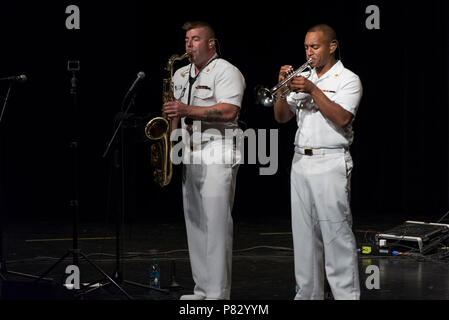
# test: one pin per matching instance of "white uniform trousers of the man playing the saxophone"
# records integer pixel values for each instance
(208, 197)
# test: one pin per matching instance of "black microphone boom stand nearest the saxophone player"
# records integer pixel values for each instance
(120, 214)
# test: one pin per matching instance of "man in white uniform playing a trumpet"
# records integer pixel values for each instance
(325, 105)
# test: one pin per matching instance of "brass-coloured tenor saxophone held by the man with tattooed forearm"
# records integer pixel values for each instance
(159, 130)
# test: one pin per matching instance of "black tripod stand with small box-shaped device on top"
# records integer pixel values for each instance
(75, 252)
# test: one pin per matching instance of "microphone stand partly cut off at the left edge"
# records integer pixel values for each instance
(3, 269)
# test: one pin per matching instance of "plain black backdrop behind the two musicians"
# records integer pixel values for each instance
(401, 130)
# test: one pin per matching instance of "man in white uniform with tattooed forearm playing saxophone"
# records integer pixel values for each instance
(209, 93)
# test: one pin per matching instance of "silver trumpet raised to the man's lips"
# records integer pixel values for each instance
(267, 97)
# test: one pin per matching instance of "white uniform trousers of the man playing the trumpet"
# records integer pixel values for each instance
(324, 243)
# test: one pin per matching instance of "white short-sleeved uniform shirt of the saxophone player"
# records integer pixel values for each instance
(218, 82)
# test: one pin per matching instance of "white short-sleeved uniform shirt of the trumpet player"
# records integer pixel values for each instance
(343, 87)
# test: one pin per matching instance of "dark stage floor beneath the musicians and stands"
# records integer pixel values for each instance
(262, 261)
